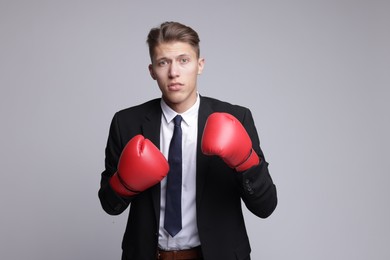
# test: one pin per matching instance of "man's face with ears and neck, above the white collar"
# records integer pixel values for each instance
(176, 67)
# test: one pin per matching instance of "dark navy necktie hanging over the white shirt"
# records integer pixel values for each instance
(172, 221)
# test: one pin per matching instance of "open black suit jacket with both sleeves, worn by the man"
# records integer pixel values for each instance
(219, 189)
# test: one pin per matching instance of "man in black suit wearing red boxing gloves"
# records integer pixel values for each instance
(218, 163)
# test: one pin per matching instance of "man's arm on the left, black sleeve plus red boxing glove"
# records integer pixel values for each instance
(140, 166)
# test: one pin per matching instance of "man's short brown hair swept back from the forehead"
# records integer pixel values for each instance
(172, 32)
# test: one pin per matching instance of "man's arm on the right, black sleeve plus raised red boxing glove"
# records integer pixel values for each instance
(237, 143)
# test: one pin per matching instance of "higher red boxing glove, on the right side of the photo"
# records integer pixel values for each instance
(225, 136)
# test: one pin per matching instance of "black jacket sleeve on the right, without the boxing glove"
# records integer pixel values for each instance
(257, 188)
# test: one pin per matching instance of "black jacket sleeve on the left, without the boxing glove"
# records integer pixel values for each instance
(112, 203)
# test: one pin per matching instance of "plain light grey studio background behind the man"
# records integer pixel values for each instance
(314, 73)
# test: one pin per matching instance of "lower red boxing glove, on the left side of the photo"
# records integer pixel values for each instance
(141, 166)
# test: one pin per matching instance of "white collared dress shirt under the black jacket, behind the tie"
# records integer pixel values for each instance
(188, 236)
